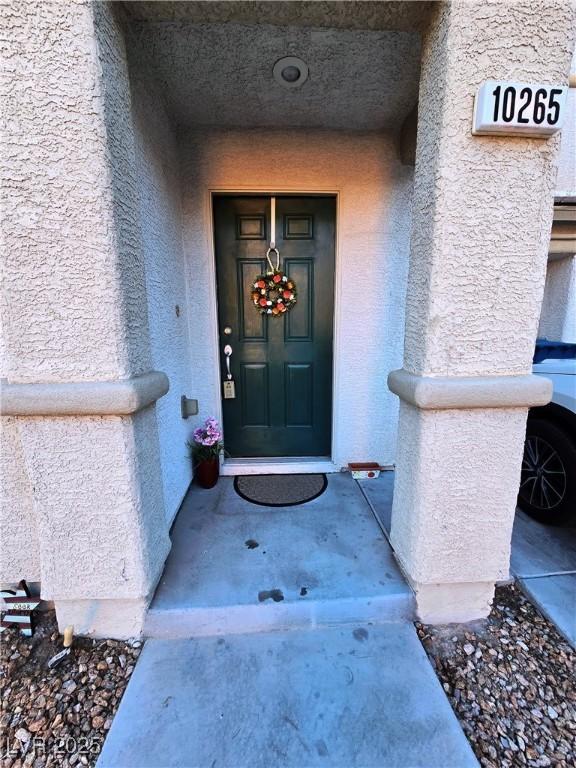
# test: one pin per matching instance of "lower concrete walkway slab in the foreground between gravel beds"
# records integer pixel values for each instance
(340, 697)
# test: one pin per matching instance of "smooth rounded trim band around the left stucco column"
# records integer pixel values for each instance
(85, 398)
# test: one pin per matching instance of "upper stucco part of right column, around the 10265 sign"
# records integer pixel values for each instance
(482, 205)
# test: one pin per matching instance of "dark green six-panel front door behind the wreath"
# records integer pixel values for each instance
(281, 365)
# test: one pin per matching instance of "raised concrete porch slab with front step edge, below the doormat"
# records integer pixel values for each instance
(237, 568)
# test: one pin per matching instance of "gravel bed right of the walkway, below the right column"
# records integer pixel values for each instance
(511, 683)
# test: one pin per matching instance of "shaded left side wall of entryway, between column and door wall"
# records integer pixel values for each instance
(161, 227)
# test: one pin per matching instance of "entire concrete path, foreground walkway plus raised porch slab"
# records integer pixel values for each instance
(287, 642)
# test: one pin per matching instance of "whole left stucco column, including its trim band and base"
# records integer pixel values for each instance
(78, 390)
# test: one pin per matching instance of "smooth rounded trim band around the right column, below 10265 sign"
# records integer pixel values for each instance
(452, 392)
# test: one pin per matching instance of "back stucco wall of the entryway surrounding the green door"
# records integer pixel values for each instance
(373, 239)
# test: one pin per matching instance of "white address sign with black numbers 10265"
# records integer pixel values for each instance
(512, 109)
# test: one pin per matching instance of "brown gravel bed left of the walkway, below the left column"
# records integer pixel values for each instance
(59, 717)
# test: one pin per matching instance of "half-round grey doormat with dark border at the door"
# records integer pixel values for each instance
(280, 490)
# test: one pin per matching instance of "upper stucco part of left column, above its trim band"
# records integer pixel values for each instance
(73, 269)
